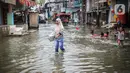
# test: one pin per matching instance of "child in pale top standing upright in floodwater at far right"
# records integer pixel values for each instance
(120, 37)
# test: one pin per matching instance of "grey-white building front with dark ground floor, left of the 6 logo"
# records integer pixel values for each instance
(97, 11)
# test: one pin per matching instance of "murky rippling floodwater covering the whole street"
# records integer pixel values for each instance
(34, 53)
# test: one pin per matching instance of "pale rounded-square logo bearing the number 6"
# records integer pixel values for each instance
(120, 9)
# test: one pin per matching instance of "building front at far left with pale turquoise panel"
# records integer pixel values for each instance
(6, 13)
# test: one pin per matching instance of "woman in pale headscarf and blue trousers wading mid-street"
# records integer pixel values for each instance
(59, 35)
